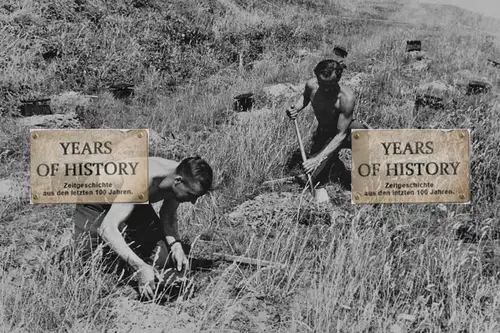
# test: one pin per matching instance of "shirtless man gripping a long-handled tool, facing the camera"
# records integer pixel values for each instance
(333, 106)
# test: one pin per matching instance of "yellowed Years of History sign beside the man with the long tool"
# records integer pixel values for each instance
(410, 166)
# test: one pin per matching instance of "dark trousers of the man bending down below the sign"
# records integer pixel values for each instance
(143, 233)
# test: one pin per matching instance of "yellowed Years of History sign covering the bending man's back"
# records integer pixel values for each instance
(89, 166)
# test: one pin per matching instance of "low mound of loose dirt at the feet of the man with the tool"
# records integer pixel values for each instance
(284, 207)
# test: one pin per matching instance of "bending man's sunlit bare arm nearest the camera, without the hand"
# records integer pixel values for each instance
(108, 231)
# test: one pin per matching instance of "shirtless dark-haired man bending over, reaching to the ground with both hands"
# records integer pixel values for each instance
(170, 181)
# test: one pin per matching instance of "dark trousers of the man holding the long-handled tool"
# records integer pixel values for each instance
(334, 169)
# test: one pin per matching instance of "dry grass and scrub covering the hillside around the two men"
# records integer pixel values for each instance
(375, 269)
